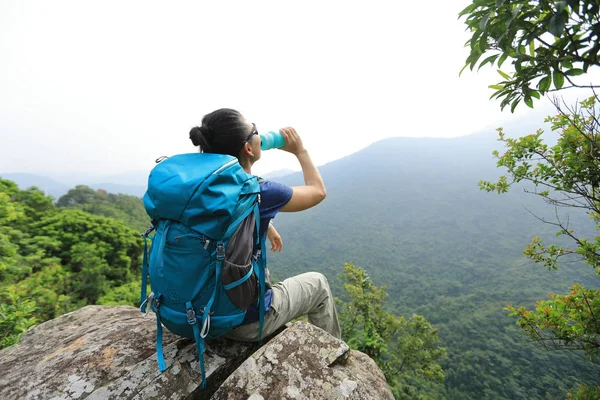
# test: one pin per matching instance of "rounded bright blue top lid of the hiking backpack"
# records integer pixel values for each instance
(206, 192)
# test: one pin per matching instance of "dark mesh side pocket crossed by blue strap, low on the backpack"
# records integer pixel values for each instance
(245, 293)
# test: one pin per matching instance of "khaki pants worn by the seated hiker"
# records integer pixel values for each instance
(305, 294)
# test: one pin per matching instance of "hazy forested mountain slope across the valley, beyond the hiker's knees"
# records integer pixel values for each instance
(410, 212)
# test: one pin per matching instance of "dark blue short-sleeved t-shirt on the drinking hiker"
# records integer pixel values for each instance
(273, 196)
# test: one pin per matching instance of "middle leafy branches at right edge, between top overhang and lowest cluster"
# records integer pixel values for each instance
(564, 175)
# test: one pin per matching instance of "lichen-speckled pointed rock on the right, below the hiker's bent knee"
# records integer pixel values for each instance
(304, 362)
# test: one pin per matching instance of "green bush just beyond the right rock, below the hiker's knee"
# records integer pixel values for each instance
(406, 350)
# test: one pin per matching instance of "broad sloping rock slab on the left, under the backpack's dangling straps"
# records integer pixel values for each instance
(101, 352)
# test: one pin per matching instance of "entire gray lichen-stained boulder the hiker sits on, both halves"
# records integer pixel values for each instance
(101, 352)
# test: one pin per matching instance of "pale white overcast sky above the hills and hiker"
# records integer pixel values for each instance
(107, 87)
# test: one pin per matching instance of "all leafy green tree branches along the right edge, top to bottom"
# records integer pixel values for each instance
(549, 43)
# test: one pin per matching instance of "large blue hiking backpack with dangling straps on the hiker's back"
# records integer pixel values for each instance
(204, 272)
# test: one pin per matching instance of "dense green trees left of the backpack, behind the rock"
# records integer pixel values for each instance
(55, 260)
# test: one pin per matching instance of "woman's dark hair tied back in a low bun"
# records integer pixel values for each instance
(222, 131)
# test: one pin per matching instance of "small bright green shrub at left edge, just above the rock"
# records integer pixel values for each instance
(16, 316)
